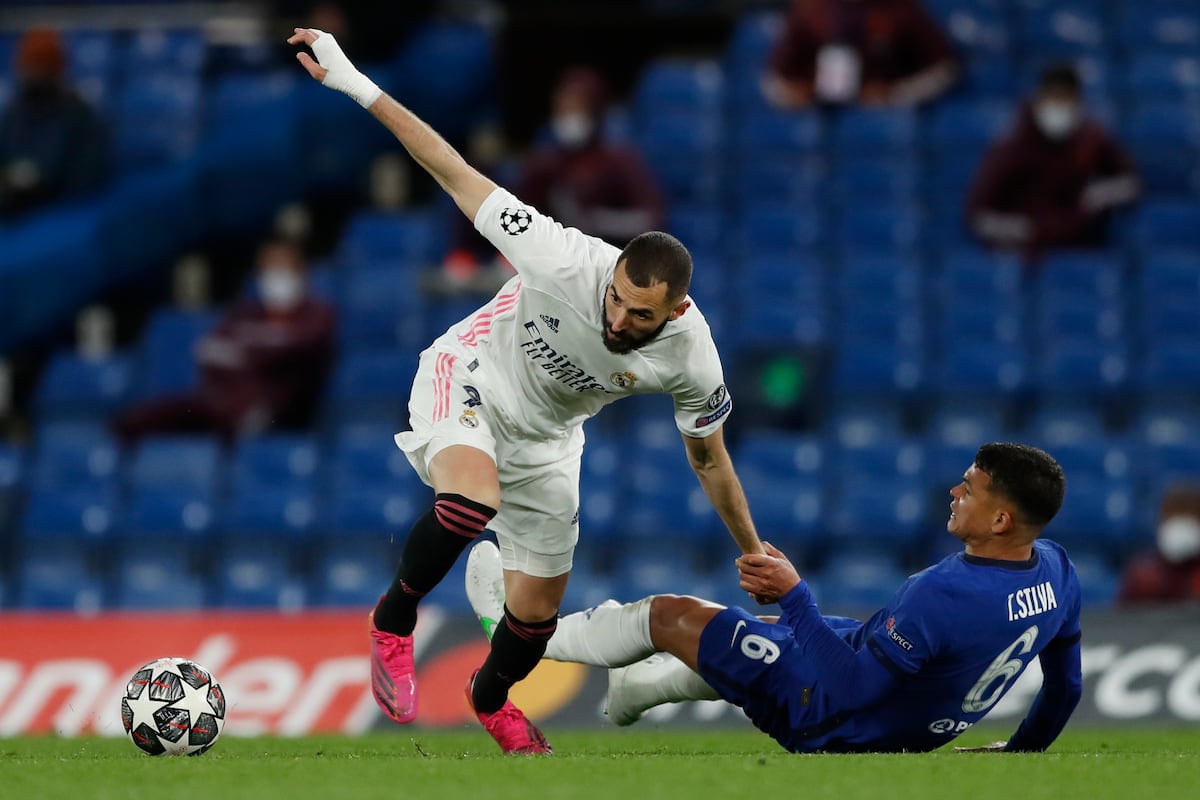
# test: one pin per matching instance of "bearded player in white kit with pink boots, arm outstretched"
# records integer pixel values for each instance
(500, 400)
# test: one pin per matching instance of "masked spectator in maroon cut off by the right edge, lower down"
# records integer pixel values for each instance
(1172, 573)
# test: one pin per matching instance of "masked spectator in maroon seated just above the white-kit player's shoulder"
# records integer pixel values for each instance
(580, 179)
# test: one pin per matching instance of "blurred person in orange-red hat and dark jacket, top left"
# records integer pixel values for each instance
(53, 146)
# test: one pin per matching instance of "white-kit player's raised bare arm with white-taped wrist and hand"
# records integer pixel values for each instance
(463, 183)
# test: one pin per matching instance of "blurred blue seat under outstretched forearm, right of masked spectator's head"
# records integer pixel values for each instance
(407, 240)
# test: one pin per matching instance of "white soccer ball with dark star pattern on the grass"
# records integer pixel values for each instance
(173, 706)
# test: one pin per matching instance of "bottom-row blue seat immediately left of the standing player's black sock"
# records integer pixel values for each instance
(352, 574)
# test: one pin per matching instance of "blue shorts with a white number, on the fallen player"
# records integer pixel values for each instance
(759, 667)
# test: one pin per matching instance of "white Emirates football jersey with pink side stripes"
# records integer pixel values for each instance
(537, 350)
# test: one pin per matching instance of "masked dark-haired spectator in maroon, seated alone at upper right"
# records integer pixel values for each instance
(1052, 181)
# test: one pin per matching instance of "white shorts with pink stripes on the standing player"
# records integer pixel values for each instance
(538, 524)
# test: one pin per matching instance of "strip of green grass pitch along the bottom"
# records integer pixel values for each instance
(622, 765)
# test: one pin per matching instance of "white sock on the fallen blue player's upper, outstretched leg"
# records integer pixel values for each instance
(610, 635)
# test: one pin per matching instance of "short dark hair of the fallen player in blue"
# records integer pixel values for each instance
(1028, 477)
